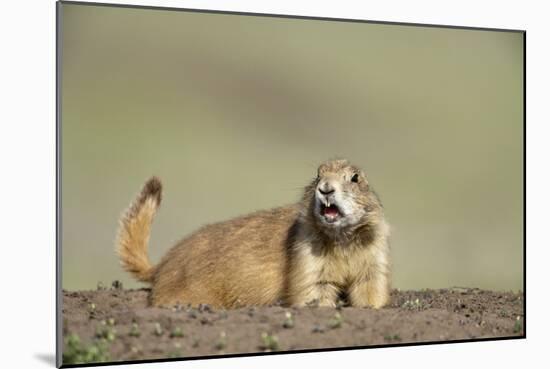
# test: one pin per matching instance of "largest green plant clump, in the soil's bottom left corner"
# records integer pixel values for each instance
(75, 352)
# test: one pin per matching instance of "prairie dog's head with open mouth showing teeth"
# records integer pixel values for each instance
(340, 198)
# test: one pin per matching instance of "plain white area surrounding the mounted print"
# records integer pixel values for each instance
(27, 142)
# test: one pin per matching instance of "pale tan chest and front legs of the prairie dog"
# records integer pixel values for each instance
(322, 271)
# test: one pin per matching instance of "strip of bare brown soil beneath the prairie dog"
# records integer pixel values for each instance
(115, 324)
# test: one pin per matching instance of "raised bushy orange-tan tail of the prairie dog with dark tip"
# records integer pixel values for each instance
(135, 228)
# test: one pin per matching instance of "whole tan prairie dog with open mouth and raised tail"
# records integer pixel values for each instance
(332, 242)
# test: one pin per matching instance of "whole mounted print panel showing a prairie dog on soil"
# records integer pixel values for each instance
(243, 184)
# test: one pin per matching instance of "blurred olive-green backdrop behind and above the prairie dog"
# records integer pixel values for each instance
(234, 113)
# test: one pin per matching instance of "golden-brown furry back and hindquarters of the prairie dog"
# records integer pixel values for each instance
(235, 263)
